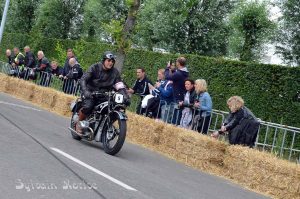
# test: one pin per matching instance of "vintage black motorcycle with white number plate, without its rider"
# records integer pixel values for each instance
(106, 124)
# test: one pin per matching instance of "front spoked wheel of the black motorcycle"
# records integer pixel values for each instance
(114, 134)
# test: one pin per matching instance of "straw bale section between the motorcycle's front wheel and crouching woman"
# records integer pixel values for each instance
(189, 147)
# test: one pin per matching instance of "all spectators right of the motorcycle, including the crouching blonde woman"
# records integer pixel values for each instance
(177, 99)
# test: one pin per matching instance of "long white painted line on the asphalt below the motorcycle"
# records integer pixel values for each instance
(94, 170)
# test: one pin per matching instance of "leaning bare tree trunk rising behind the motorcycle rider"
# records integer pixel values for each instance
(126, 32)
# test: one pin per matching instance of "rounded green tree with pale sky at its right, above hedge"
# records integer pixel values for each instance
(251, 28)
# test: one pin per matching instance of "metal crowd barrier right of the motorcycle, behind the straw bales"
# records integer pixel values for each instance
(281, 140)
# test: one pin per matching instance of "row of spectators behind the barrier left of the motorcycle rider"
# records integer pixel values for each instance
(38, 68)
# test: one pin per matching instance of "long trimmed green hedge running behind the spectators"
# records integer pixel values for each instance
(270, 91)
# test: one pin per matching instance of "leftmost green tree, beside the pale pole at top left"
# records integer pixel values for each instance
(21, 17)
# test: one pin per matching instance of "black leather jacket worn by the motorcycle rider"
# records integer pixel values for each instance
(98, 79)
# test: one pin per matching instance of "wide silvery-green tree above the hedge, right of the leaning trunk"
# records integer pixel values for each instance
(188, 26)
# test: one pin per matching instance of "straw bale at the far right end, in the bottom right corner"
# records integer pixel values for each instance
(262, 172)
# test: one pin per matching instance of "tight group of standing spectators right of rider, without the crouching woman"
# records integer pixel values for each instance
(174, 98)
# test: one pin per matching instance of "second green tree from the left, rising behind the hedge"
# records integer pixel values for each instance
(60, 18)
